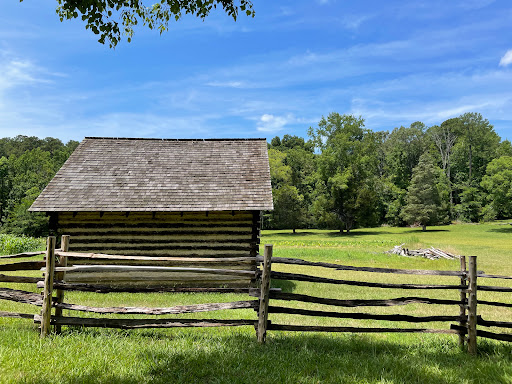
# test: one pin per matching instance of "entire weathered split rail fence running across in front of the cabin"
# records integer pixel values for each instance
(58, 262)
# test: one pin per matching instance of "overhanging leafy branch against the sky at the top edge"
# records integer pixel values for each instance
(111, 18)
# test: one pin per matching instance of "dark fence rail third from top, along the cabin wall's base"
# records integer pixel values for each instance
(103, 288)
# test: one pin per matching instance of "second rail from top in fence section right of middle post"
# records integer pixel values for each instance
(315, 279)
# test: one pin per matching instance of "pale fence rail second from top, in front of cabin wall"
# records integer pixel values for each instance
(141, 268)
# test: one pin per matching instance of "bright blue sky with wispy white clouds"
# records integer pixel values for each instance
(392, 62)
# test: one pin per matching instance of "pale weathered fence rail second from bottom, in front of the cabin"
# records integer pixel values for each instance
(194, 308)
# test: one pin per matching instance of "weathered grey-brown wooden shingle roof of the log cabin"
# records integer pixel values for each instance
(117, 174)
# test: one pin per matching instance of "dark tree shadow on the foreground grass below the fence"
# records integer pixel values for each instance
(321, 358)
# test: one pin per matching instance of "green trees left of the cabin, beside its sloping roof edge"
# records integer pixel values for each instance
(27, 164)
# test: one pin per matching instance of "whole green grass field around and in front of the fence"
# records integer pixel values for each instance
(232, 355)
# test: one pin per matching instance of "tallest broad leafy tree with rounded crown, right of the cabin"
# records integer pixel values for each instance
(347, 169)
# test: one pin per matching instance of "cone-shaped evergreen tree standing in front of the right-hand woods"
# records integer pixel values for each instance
(423, 202)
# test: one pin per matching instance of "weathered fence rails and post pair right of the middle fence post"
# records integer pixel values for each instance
(466, 321)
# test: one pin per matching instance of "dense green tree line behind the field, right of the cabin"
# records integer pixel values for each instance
(346, 176)
